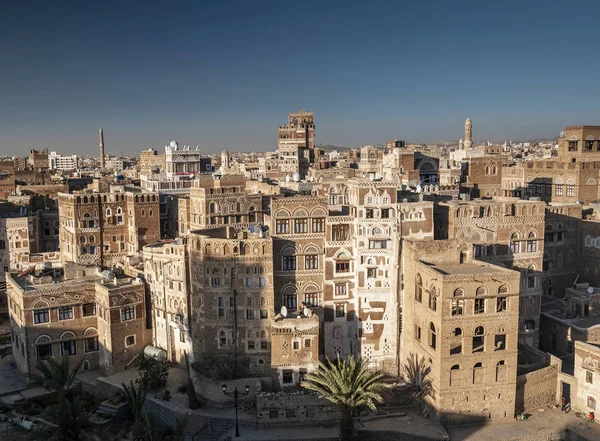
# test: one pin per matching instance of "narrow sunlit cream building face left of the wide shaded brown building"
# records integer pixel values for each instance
(166, 272)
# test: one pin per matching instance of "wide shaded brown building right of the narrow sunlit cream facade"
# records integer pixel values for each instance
(232, 289)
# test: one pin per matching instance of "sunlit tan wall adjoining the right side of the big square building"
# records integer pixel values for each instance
(538, 388)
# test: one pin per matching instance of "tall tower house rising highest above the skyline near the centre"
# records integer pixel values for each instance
(295, 145)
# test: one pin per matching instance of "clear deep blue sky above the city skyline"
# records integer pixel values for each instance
(224, 74)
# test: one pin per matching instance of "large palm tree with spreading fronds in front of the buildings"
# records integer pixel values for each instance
(348, 384)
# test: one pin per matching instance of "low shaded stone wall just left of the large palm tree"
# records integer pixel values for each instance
(294, 408)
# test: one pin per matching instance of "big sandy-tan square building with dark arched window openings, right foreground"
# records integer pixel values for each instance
(460, 319)
